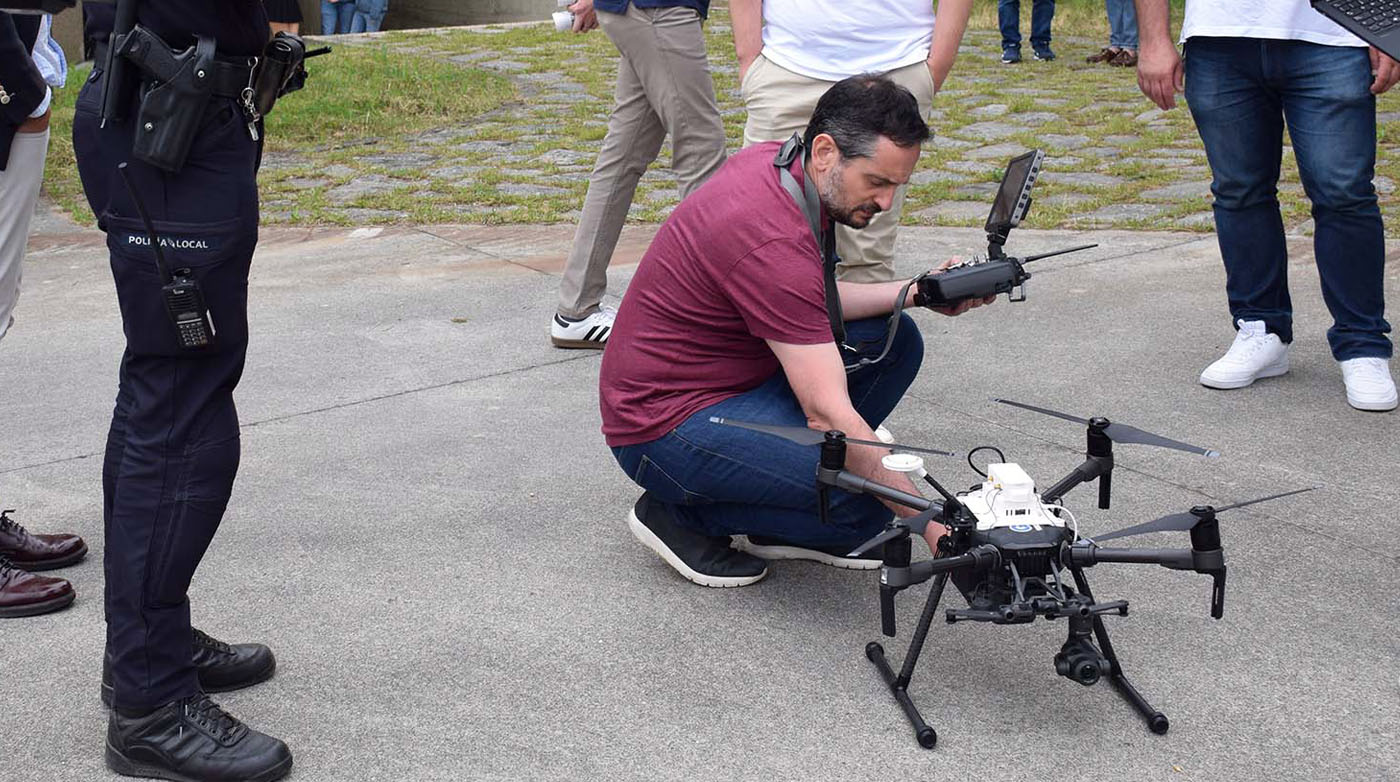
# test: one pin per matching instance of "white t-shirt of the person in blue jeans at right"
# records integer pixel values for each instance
(1279, 20)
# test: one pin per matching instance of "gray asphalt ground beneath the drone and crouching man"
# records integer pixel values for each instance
(430, 532)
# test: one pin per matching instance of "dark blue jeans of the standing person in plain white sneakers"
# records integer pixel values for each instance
(1242, 92)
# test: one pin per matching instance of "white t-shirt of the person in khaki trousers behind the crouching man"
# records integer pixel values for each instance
(831, 40)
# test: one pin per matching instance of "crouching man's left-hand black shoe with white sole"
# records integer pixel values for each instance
(709, 562)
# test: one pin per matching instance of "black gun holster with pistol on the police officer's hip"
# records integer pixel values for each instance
(174, 96)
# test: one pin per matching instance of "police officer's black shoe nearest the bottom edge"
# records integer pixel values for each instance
(194, 741)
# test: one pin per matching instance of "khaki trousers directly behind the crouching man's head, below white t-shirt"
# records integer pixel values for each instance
(780, 103)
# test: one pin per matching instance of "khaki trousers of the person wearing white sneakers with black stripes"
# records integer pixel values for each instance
(663, 87)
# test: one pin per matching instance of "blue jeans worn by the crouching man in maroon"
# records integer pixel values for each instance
(726, 481)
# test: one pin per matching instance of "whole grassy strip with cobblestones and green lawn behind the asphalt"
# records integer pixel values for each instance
(503, 127)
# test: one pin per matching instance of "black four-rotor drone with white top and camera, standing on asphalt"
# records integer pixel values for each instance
(1016, 555)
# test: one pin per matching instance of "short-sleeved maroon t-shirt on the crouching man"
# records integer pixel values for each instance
(736, 265)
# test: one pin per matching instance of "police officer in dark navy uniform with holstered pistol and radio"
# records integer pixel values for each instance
(173, 448)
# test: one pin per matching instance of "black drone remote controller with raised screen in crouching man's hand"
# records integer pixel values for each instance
(997, 273)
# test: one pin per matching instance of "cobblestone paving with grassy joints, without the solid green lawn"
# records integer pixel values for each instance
(1114, 160)
